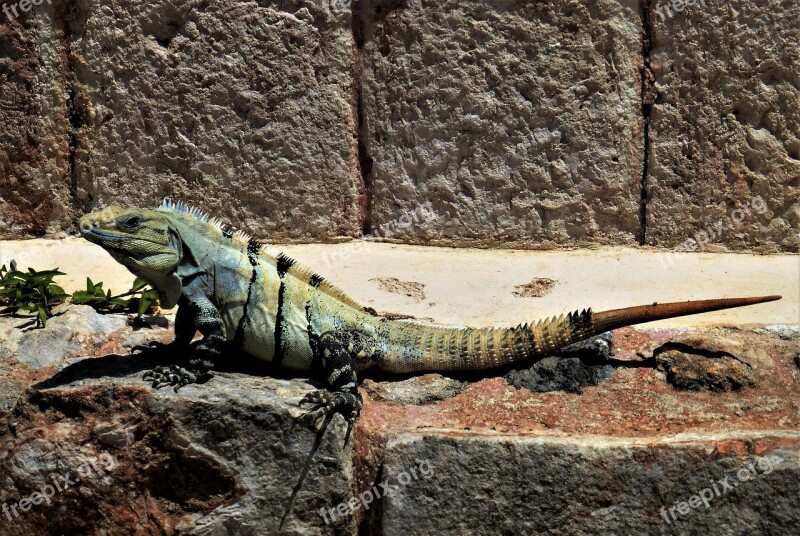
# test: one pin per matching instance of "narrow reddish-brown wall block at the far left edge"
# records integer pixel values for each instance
(35, 174)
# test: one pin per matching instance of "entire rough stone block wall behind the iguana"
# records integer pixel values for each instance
(523, 124)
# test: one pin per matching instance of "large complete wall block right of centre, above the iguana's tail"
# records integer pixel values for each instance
(519, 121)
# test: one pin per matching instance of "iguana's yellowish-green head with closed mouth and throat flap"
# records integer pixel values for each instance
(144, 241)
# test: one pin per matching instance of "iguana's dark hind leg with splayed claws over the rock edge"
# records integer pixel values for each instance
(335, 356)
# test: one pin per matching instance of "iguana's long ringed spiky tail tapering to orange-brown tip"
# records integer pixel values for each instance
(416, 347)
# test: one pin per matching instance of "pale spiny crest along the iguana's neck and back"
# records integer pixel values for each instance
(301, 272)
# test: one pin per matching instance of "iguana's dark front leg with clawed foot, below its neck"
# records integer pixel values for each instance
(195, 313)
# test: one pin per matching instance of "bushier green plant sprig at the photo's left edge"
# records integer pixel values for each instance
(33, 292)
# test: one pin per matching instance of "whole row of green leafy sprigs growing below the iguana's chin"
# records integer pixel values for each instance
(35, 292)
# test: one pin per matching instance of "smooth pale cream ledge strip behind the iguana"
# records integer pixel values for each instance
(476, 287)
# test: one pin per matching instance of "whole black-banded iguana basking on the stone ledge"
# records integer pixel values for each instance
(234, 290)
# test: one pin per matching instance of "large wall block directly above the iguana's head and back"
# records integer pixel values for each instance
(243, 109)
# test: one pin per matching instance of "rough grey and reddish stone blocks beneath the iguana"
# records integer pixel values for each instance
(222, 457)
